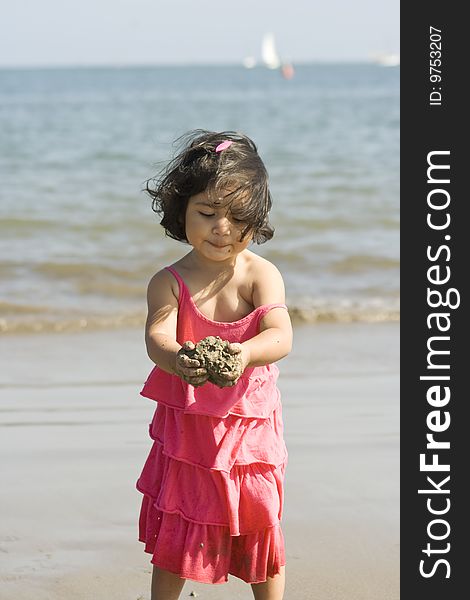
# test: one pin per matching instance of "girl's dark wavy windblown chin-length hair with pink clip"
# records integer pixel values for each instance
(235, 173)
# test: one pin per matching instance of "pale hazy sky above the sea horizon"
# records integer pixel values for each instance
(126, 32)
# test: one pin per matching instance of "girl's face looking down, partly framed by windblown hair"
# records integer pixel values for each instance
(212, 230)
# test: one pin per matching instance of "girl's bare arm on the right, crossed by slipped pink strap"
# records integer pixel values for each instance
(275, 338)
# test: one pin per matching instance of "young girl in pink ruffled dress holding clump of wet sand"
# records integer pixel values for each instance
(213, 481)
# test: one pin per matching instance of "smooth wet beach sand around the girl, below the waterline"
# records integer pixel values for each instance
(74, 436)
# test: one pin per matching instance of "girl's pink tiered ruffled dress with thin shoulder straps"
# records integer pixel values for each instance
(213, 481)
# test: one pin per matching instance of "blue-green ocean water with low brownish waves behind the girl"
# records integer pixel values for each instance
(78, 238)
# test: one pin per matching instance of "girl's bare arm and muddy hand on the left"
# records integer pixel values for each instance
(160, 331)
